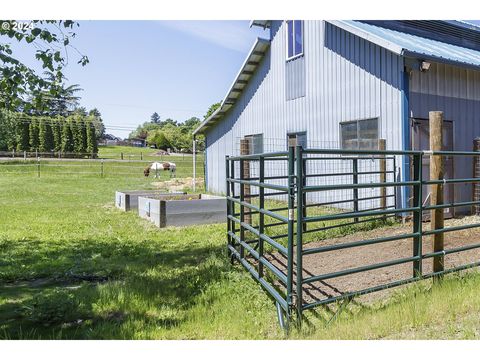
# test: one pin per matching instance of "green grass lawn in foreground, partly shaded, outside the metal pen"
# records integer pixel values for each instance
(74, 267)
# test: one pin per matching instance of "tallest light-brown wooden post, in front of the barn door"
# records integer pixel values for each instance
(436, 196)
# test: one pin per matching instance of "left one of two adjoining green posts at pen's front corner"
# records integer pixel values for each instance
(291, 223)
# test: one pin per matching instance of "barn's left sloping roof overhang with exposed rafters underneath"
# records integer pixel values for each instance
(247, 70)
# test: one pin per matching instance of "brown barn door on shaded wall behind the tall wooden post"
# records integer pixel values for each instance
(421, 141)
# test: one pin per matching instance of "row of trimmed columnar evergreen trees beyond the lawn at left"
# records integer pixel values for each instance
(73, 134)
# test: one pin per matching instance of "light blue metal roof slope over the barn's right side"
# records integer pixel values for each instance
(412, 45)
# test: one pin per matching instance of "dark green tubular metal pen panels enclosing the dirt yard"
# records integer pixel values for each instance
(274, 218)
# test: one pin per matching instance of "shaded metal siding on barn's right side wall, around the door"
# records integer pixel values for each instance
(456, 92)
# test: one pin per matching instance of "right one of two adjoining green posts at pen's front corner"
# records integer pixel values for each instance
(299, 248)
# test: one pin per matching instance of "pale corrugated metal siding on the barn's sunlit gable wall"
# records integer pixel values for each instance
(347, 78)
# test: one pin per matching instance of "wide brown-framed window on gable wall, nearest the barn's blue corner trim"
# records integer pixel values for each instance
(360, 134)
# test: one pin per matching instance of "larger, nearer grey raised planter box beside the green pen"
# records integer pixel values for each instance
(183, 210)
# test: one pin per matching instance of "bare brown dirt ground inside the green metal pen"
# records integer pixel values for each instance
(323, 263)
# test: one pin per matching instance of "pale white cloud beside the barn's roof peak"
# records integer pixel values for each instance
(233, 35)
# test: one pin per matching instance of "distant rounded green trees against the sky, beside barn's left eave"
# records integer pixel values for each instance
(170, 134)
